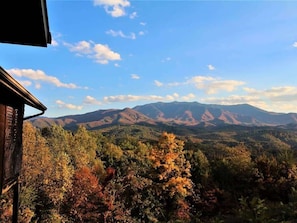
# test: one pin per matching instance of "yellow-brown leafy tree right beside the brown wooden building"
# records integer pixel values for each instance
(45, 177)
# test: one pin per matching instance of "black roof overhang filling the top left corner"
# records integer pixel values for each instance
(24, 22)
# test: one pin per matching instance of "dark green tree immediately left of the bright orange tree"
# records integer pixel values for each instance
(130, 192)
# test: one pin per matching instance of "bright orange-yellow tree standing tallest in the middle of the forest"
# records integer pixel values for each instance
(172, 175)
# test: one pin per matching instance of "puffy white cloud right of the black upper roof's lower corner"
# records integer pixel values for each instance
(98, 52)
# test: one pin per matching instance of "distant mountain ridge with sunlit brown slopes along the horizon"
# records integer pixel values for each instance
(177, 113)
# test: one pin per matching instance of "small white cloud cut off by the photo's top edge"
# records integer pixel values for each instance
(116, 8)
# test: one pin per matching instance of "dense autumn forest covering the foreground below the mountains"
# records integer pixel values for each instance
(143, 176)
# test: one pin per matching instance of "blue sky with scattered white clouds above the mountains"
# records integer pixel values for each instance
(119, 53)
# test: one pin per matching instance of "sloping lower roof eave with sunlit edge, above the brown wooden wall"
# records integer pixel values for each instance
(11, 84)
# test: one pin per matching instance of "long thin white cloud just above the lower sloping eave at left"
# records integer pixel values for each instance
(40, 76)
